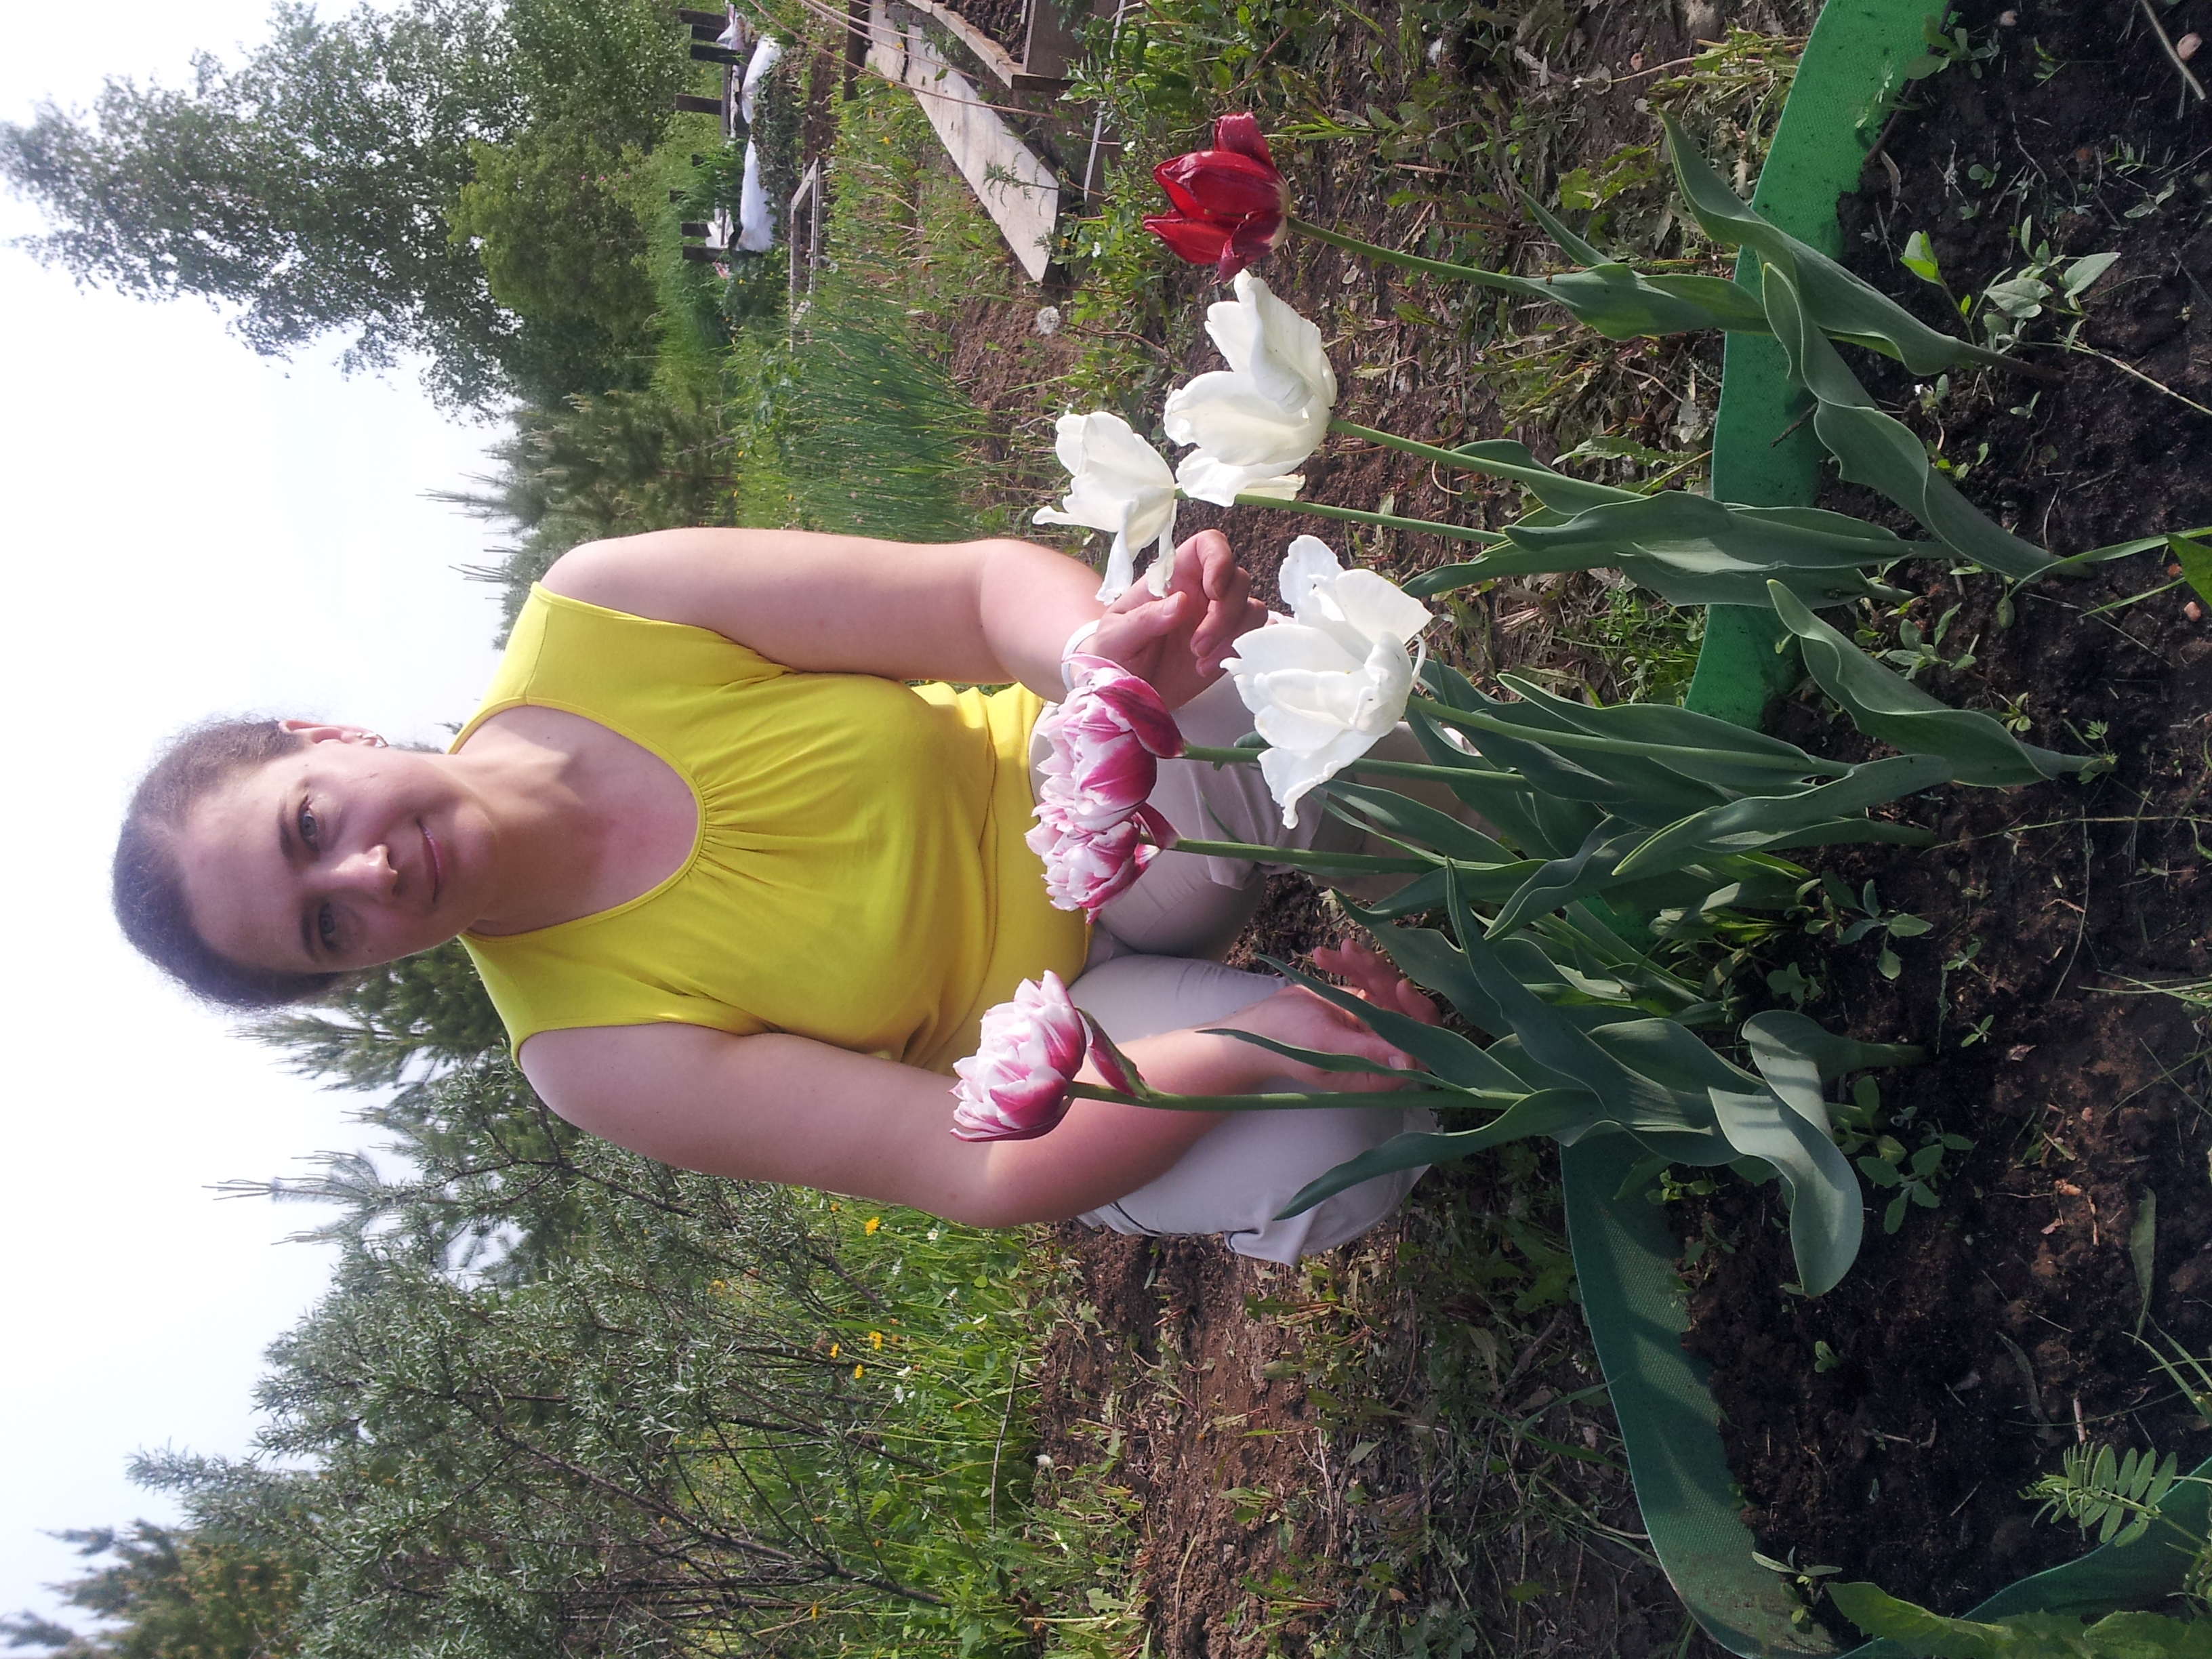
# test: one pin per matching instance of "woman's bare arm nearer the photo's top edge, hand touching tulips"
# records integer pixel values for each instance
(963, 612)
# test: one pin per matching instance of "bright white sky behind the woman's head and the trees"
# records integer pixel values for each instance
(189, 530)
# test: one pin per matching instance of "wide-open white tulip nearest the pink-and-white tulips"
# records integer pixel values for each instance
(1333, 682)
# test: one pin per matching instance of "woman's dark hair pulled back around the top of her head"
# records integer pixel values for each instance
(149, 881)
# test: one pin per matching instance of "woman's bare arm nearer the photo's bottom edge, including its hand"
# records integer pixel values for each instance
(806, 1114)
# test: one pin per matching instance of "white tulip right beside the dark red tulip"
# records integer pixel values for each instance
(1262, 417)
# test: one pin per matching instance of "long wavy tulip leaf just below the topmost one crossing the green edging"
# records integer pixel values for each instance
(1881, 452)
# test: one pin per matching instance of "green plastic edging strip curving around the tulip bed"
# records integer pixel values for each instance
(1625, 1255)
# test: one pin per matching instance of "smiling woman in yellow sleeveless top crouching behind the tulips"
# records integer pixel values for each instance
(744, 897)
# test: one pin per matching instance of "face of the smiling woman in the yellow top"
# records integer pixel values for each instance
(337, 857)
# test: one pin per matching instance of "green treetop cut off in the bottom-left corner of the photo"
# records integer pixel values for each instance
(174, 1596)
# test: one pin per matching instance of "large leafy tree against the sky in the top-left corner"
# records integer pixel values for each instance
(309, 187)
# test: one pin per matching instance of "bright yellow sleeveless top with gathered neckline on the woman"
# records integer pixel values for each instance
(859, 875)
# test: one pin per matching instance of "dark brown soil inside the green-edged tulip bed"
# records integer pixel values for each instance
(2001, 1326)
